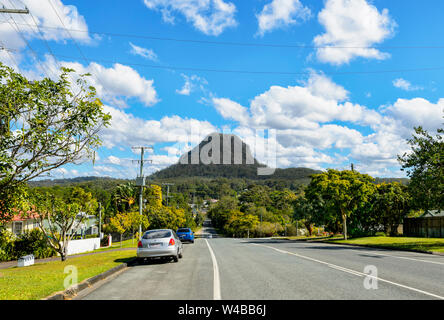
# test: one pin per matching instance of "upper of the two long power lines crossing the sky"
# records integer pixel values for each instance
(245, 44)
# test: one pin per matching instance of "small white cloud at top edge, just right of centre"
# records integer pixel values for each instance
(281, 13)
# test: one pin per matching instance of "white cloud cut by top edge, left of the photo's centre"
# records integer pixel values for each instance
(211, 17)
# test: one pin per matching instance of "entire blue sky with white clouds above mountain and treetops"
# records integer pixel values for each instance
(342, 80)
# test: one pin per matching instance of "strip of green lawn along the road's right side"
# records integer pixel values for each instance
(405, 243)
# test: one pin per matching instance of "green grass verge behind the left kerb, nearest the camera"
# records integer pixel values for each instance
(43, 279)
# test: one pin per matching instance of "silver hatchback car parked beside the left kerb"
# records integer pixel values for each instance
(160, 243)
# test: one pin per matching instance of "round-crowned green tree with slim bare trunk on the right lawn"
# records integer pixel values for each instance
(342, 192)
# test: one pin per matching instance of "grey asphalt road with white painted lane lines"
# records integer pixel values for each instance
(251, 269)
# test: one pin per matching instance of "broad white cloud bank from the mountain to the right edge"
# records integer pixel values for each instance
(316, 126)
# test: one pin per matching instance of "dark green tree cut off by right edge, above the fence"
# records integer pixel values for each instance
(425, 168)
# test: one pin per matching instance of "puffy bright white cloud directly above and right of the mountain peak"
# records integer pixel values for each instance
(319, 101)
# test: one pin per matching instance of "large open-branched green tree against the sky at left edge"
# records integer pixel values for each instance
(44, 124)
